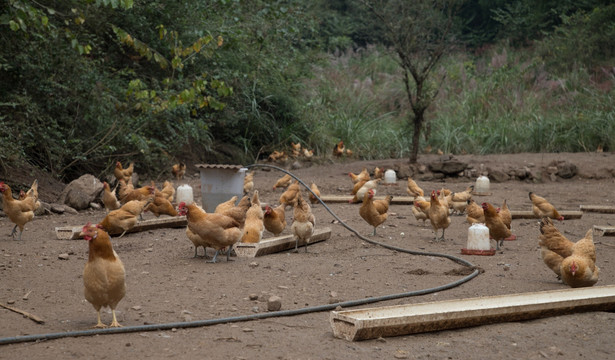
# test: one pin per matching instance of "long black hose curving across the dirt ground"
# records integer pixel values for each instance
(281, 313)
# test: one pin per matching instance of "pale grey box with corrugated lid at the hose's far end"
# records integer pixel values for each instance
(219, 183)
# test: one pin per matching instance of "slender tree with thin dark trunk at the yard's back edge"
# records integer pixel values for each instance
(419, 33)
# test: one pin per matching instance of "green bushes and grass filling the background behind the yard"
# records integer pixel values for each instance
(86, 83)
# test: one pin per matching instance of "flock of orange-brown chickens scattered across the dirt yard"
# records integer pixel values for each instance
(246, 219)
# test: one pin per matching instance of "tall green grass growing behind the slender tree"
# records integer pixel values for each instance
(503, 101)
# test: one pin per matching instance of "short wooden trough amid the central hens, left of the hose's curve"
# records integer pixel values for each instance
(277, 244)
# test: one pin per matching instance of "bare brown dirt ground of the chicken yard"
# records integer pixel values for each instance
(165, 284)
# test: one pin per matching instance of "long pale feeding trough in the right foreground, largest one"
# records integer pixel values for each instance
(373, 323)
